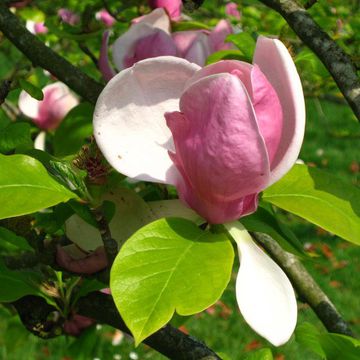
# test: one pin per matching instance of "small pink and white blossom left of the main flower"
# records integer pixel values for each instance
(48, 113)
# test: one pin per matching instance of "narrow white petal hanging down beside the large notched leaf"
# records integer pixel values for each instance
(264, 293)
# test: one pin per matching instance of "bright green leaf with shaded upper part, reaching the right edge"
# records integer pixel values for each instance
(320, 198)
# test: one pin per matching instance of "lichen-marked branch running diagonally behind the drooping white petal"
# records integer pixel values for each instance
(305, 285)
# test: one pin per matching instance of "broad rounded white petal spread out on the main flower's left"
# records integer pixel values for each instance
(129, 123)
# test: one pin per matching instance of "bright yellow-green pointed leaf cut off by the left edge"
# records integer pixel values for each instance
(26, 187)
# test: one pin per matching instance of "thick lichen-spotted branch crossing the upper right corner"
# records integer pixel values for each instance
(328, 51)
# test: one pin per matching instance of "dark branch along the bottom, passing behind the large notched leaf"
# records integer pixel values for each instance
(35, 313)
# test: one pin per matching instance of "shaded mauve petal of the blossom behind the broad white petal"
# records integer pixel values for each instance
(157, 43)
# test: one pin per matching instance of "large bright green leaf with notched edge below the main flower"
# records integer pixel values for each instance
(169, 265)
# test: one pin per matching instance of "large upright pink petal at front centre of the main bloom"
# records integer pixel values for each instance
(218, 124)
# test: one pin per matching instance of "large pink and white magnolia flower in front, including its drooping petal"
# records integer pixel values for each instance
(221, 134)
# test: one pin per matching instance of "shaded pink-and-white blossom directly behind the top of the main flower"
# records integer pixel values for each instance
(149, 36)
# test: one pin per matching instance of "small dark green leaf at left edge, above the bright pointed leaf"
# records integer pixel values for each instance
(14, 135)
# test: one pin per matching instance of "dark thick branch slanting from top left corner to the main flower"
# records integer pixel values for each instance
(41, 55)
